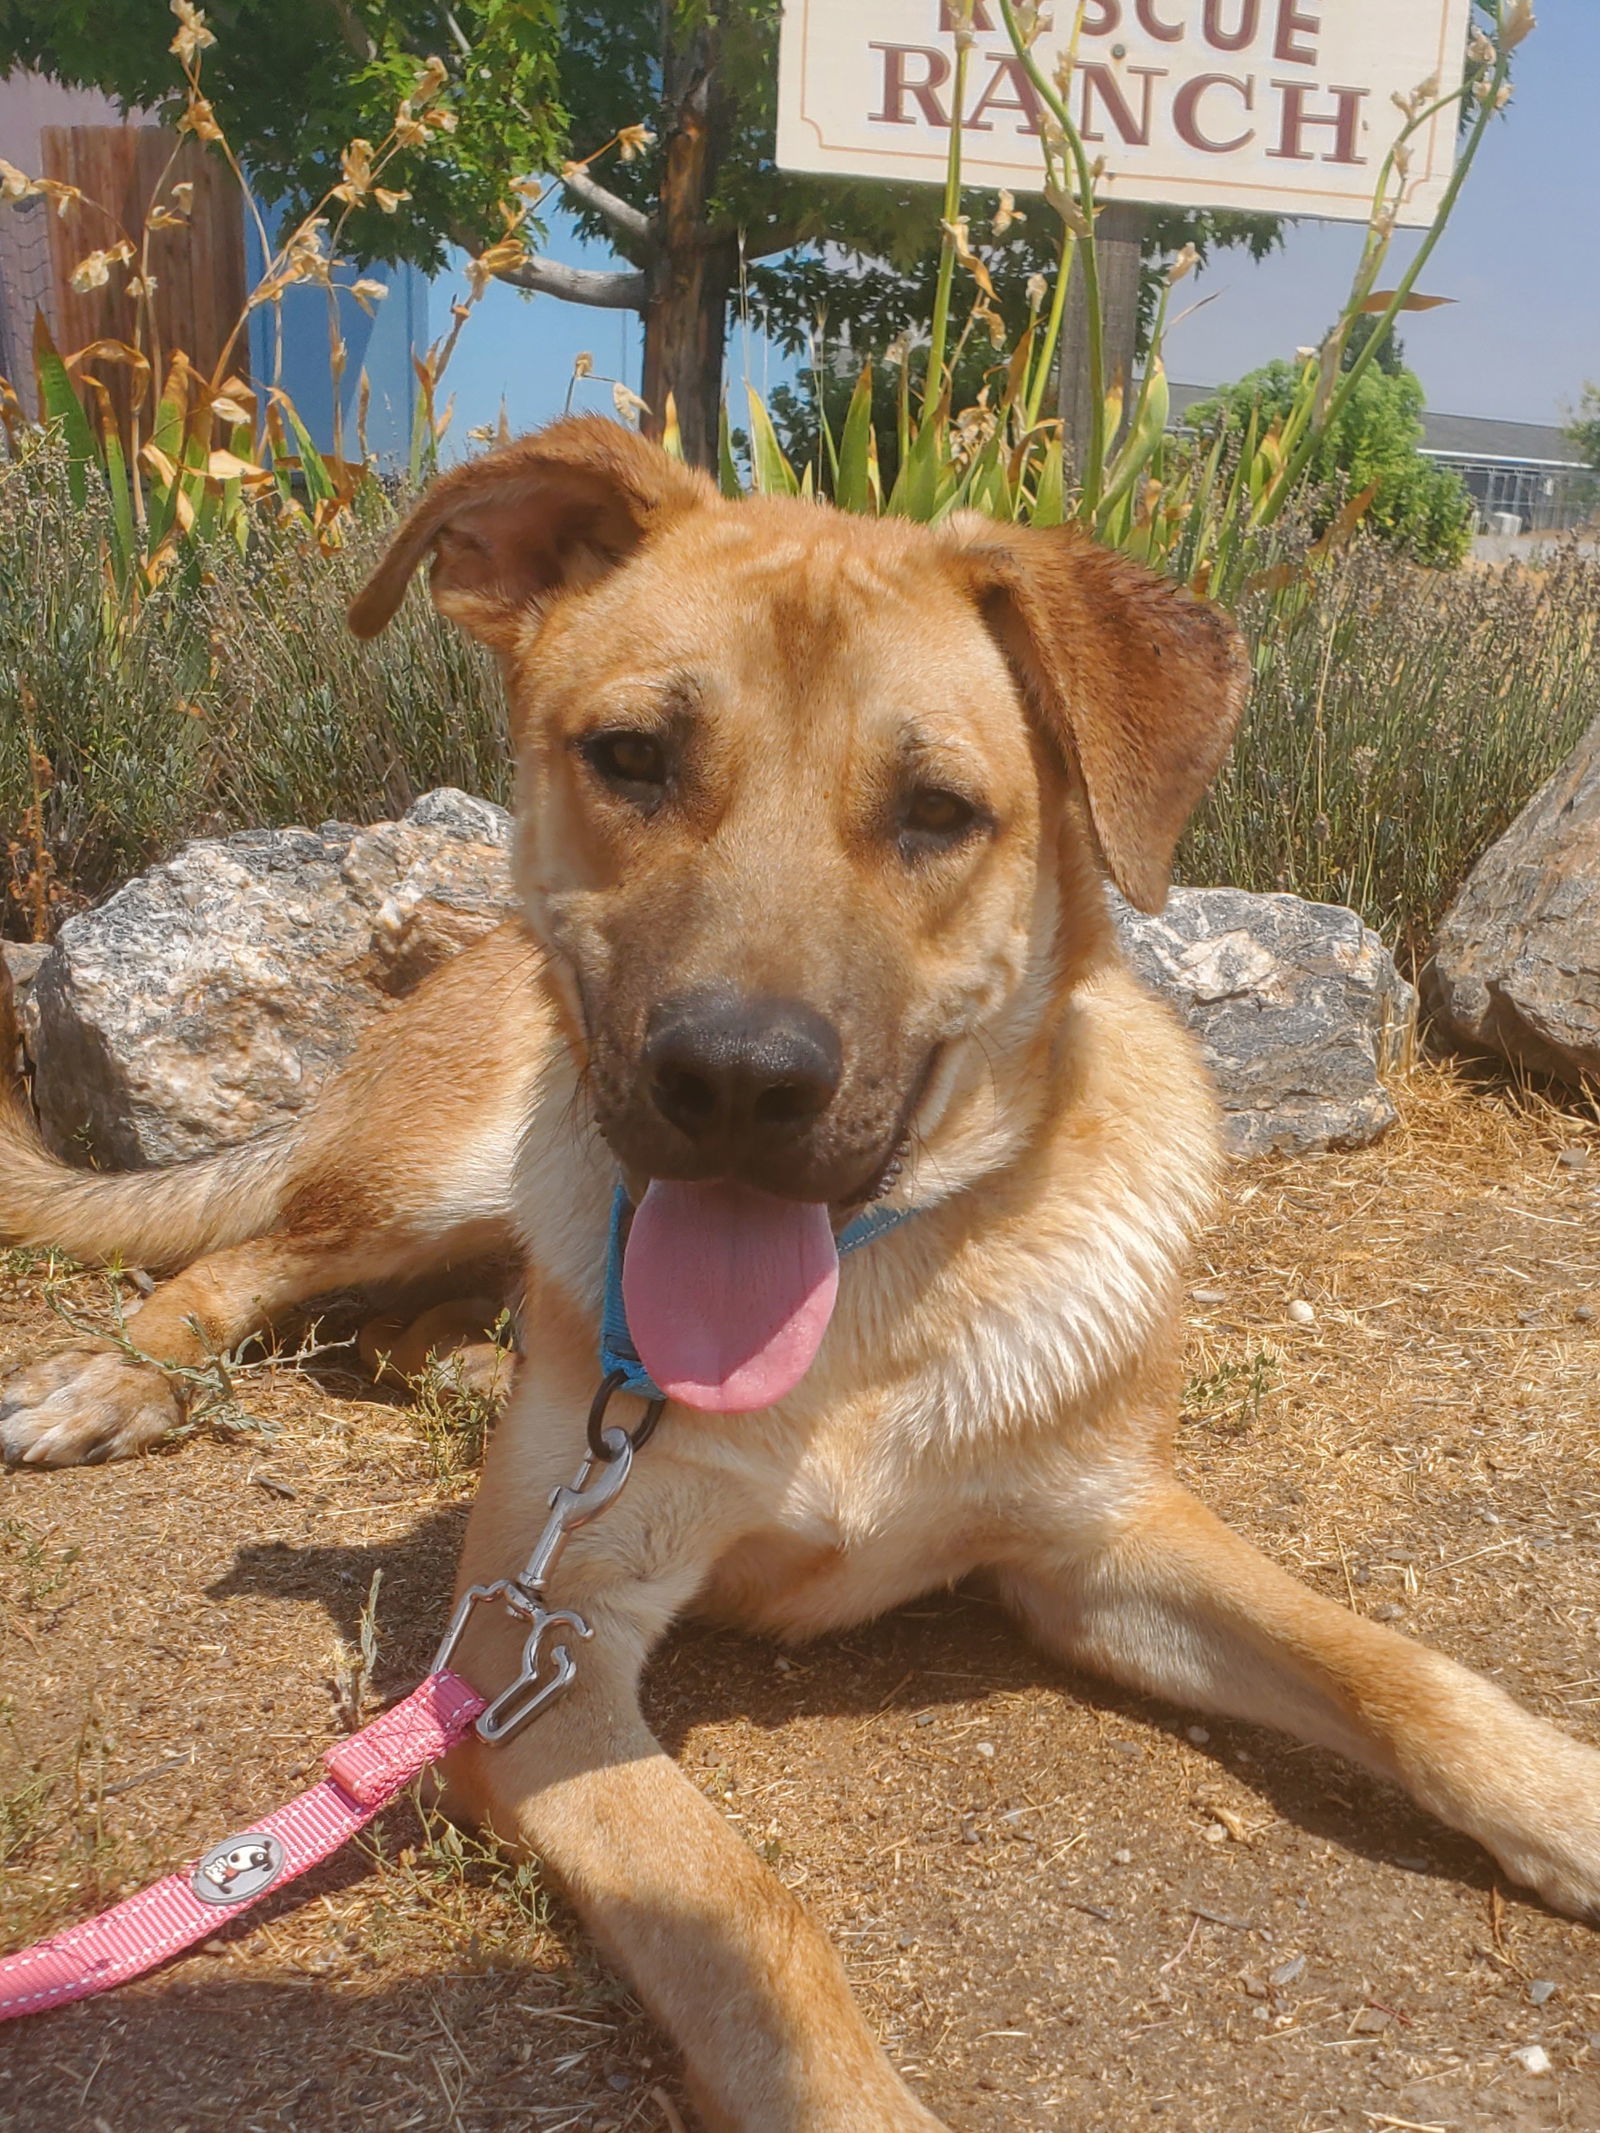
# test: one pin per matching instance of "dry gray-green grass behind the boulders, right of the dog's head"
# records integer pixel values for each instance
(1398, 720)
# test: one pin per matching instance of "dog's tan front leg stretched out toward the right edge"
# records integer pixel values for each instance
(1172, 1601)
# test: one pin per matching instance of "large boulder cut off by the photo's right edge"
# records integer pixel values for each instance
(1516, 965)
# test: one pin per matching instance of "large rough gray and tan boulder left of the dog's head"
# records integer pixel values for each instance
(212, 997)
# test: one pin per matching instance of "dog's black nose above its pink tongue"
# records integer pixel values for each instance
(733, 1074)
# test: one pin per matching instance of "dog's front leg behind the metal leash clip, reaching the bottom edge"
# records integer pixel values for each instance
(718, 1948)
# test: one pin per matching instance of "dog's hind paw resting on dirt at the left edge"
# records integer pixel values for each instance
(84, 1407)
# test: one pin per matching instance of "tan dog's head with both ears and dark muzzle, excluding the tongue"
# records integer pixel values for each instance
(810, 807)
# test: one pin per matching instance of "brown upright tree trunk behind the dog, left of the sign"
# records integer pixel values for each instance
(686, 317)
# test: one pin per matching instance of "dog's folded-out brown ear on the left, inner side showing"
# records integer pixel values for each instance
(543, 515)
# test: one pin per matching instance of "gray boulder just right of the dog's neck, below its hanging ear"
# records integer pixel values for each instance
(1300, 1012)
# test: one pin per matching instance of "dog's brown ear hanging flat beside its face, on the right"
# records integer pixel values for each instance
(1138, 684)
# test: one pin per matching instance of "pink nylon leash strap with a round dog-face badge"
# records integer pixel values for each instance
(366, 1774)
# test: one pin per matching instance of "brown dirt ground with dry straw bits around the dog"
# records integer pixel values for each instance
(1063, 1906)
